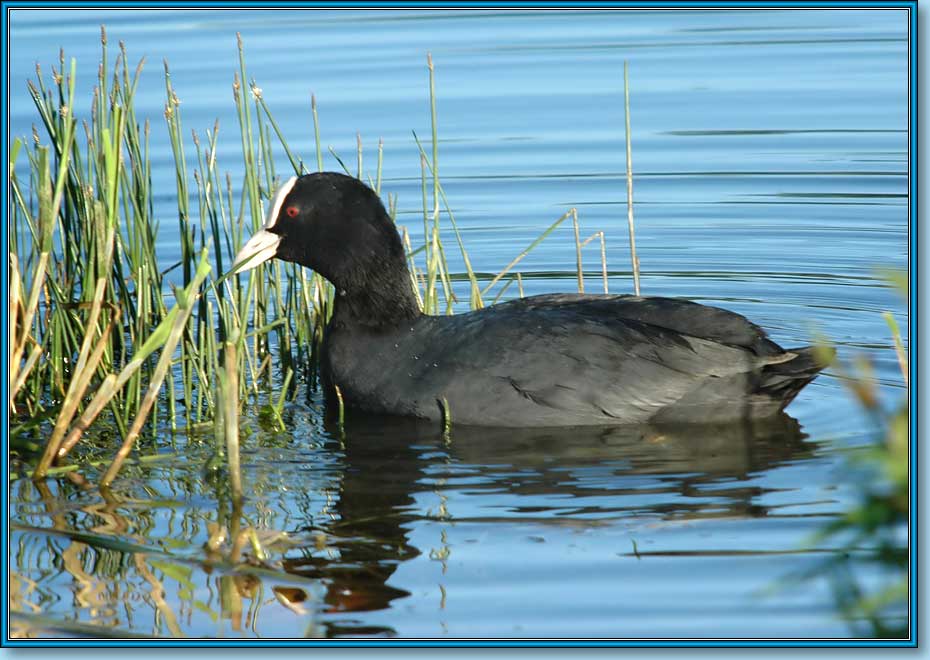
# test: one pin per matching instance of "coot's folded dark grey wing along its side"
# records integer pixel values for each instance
(536, 365)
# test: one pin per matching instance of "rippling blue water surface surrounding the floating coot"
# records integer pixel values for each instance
(770, 152)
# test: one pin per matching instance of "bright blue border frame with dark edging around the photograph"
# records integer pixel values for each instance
(912, 642)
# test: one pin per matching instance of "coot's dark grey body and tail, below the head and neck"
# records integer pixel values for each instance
(556, 360)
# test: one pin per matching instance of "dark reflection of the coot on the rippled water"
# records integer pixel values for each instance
(695, 471)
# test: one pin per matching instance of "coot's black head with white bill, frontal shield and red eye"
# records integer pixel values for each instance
(337, 226)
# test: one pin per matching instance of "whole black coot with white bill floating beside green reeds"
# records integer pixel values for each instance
(549, 360)
